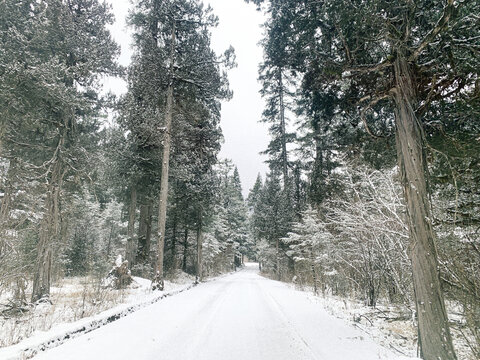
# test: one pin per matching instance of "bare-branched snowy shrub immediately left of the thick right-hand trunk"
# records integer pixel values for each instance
(372, 237)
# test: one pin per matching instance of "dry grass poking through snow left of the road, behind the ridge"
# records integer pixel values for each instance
(73, 299)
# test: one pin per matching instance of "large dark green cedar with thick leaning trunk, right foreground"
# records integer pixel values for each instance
(398, 61)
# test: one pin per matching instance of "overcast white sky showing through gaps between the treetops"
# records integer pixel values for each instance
(239, 27)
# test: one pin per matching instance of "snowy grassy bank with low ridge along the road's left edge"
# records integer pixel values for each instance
(56, 318)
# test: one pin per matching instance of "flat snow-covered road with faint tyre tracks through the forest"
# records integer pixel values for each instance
(240, 316)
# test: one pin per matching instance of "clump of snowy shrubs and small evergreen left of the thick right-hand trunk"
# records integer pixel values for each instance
(356, 242)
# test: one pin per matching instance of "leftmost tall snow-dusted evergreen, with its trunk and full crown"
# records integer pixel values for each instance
(64, 48)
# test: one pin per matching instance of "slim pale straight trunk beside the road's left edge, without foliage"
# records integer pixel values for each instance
(162, 208)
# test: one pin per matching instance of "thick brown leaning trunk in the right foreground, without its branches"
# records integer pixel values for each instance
(434, 332)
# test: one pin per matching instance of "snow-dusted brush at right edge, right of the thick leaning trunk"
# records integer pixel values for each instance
(456, 212)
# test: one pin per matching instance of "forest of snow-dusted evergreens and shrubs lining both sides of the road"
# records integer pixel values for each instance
(372, 192)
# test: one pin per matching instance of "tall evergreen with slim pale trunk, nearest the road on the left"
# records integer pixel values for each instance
(175, 40)
